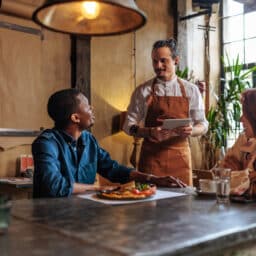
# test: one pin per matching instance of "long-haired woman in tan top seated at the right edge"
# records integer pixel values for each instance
(242, 156)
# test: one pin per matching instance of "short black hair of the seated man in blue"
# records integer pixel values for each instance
(61, 105)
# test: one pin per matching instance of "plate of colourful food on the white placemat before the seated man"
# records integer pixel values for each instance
(132, 191)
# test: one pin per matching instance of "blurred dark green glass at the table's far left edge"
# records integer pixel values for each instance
(5, 212)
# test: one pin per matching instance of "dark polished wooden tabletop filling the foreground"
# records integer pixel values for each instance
(187, 225)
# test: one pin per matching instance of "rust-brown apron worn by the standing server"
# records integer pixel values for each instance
(171, 157)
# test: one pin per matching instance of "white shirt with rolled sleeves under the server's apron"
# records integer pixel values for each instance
(137, 109)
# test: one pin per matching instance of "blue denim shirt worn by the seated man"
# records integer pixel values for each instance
(57, 167)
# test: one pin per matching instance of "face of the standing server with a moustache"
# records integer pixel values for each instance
(163, 63)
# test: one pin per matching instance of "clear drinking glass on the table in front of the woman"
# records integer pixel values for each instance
(222, 181)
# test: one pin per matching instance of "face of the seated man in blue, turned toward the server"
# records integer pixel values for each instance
(85, 113)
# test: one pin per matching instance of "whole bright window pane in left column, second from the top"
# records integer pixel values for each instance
(233, 29)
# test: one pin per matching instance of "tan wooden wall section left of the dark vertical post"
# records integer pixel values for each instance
(30, 70)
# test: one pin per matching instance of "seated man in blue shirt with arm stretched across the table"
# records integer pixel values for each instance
(67, 157)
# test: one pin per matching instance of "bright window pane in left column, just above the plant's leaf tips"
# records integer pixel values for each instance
(234, 49)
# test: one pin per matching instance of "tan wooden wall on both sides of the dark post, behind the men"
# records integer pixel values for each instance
(34, 69)
